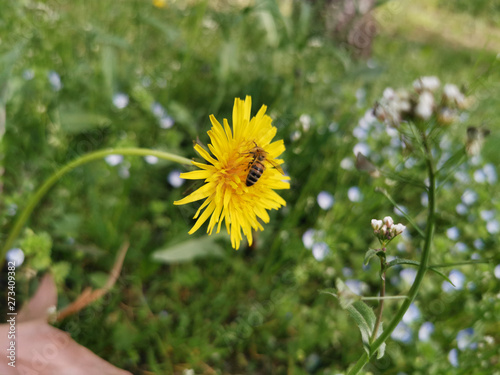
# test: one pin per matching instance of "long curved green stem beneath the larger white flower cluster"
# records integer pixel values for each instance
(429, 234)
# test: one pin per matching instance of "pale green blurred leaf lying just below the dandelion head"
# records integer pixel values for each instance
(190, 249)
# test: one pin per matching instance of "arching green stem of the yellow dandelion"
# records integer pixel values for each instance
(39, 194)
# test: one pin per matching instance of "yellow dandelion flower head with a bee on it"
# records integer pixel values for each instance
(227, 196)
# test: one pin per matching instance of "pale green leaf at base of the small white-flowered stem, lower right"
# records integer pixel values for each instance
(362, 314)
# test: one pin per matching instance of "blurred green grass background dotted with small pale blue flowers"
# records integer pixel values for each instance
(78, 76)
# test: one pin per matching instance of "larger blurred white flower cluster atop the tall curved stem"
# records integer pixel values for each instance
(397, 106)
